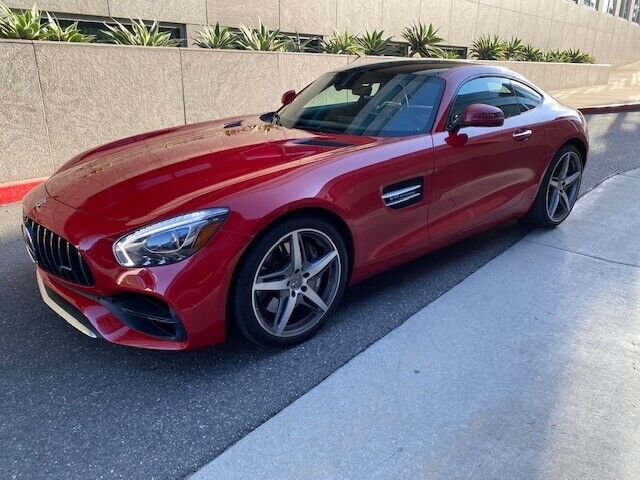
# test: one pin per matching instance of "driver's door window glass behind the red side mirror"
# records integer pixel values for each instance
(494, 91)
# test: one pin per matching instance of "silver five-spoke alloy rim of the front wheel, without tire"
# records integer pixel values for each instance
(296, 282)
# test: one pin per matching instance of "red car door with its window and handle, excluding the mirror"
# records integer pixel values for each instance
(482, 171)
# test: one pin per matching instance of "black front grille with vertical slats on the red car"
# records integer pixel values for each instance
(56, 255)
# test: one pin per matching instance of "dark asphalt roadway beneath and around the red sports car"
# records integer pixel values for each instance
(73, 407)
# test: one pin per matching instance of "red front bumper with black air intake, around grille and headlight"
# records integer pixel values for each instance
(171, 307)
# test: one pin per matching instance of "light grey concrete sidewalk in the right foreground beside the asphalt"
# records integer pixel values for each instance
(529, 368)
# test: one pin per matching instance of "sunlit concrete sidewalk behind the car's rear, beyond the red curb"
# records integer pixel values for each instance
(623, 88)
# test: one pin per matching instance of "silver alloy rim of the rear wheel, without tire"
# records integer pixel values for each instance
(564, 186)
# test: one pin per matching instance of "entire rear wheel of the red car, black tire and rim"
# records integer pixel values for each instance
(540, 214)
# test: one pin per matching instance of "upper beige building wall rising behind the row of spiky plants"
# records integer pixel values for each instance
(548, 24)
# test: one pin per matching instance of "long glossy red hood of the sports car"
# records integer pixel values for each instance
(176, 169)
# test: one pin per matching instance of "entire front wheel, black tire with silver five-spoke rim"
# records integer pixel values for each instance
(269, 283)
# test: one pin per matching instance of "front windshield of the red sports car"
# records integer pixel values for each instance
(384, 103)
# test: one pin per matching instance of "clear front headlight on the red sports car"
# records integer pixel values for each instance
(169, 241)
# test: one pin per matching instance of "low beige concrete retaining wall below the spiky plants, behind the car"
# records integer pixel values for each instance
(58, 99)
